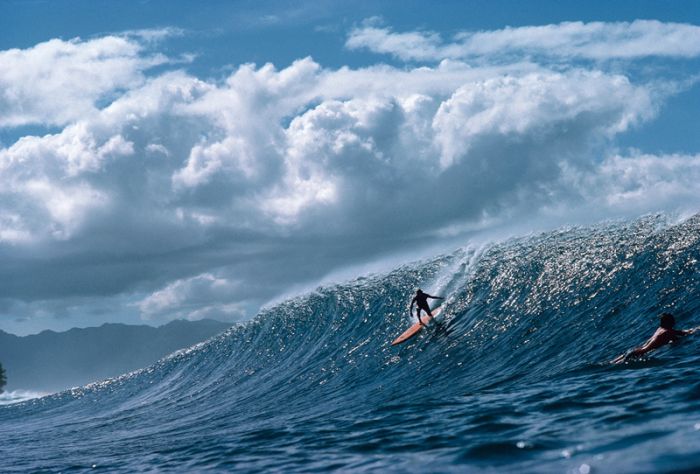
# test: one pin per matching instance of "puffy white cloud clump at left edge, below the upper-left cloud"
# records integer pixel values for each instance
(46, 185)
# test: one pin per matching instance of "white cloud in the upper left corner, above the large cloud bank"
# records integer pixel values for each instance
(56, 82)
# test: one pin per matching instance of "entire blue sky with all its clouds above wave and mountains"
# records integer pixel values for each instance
(169, 160)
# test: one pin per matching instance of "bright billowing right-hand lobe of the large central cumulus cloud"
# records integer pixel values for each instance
(537, 106)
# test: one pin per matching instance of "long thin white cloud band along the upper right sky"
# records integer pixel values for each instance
(594, 40)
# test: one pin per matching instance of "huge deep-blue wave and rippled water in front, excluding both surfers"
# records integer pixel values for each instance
(514, 378)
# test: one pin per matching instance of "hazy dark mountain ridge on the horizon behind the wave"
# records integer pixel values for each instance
(52, 361)
